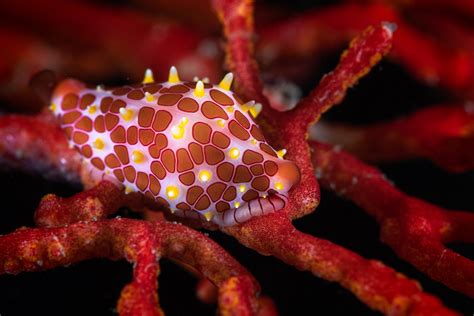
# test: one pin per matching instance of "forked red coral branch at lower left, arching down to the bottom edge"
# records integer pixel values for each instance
(141, 243)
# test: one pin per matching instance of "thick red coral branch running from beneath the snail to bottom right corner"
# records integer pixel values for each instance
(378, 286)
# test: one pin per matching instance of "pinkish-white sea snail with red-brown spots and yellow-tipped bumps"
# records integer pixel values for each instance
(192, 147)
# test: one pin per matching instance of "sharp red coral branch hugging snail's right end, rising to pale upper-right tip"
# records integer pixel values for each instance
(363, 54)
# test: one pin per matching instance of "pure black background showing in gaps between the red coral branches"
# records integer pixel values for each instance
(93, 287)
